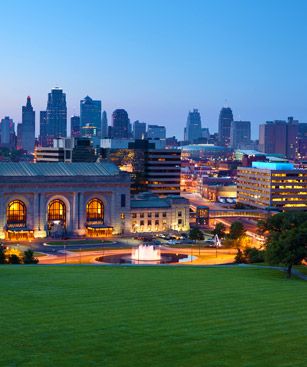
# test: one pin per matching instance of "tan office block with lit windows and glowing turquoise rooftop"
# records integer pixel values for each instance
(278, 185)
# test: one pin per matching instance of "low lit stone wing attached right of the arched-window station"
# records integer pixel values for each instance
(150, 213)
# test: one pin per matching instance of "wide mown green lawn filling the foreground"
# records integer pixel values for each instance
(151, 316)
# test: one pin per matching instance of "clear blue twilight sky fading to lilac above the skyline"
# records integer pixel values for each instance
(158, 59)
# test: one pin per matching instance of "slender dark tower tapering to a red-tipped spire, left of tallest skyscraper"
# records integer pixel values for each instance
(28, 127)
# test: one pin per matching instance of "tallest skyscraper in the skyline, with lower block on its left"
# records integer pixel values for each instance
(55, 125)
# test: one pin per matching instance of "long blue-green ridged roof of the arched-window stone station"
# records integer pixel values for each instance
(57, 169)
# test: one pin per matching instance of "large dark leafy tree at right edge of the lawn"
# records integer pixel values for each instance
(287, 239)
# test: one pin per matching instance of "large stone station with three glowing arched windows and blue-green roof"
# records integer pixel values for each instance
(54, 199)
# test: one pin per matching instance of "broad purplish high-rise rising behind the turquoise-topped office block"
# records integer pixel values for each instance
(279, 137)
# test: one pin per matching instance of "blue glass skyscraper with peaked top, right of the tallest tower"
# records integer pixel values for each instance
(90, 116)
